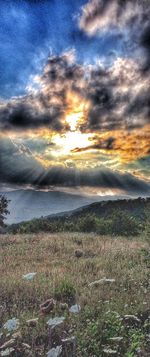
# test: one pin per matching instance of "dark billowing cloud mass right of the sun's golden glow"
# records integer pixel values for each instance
(119, 97)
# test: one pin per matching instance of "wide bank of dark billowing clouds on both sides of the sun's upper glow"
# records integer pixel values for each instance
(118, 97)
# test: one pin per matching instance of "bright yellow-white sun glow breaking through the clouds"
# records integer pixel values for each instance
(63, 144)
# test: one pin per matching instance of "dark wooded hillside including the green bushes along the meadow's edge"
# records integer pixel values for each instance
(106, 217)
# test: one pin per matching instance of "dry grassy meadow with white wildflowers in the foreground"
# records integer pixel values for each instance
(114, 315)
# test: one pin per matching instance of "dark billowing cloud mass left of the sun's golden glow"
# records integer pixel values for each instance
(47, 106)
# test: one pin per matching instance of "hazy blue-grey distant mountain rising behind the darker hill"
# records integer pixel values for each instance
(27, 204)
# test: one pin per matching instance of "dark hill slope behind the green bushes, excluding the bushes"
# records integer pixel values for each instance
(102, 210)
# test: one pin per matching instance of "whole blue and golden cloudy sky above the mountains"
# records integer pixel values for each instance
(75, 94)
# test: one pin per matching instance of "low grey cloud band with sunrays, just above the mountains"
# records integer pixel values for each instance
(20, 168)
